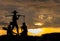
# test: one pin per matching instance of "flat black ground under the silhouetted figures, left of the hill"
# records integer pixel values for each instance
(18, 38)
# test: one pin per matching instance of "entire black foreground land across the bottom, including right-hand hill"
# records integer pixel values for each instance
(46, 37)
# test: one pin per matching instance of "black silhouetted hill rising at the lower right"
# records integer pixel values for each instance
(50, 37)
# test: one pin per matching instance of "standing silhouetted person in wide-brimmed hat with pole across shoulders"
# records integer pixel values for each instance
(14, 21)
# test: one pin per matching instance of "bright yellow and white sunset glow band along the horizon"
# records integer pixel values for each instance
(36, 31)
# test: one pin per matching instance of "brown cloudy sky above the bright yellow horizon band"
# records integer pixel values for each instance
(38, 13)
